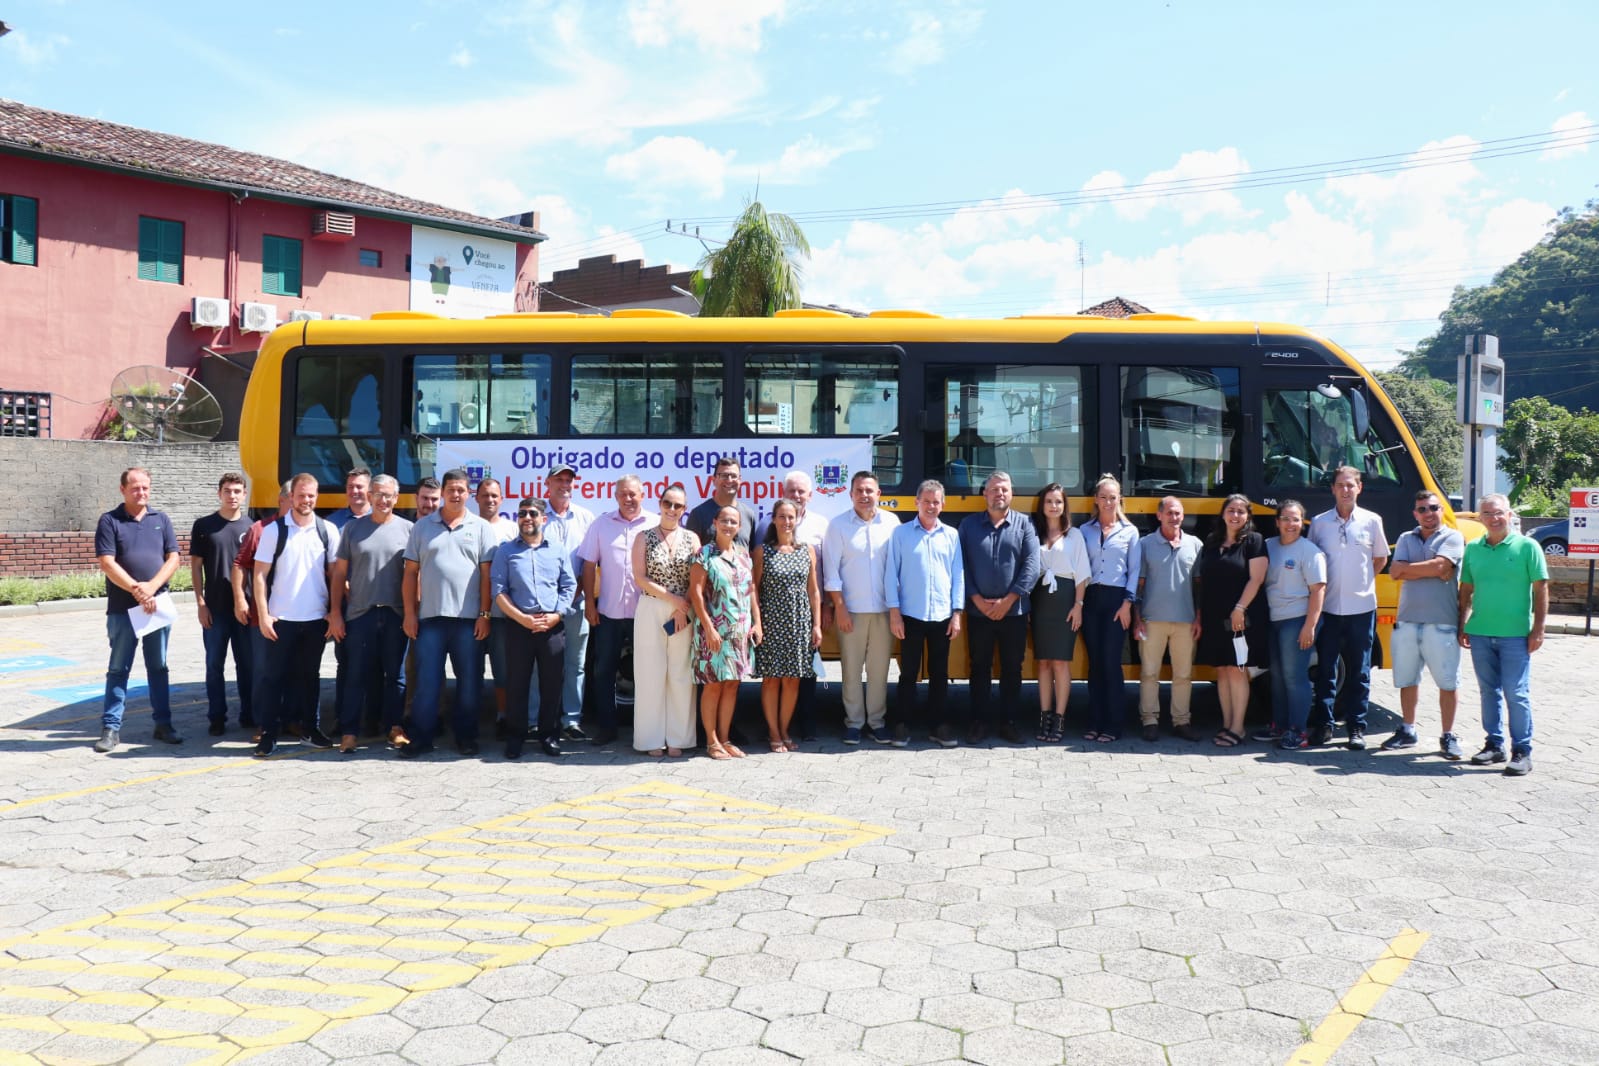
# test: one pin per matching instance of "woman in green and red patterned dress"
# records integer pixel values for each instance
(722, 591)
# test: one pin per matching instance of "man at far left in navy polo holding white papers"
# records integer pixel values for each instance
(138, 554)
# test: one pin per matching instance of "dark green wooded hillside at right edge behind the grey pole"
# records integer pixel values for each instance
(1544, 309)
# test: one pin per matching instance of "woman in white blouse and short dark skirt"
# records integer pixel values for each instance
(1058, 607)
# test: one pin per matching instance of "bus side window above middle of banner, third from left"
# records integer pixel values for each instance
(637, 394)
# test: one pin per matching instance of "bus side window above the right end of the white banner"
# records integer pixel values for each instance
(827, 394)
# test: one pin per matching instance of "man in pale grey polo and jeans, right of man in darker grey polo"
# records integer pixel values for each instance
(447, 613)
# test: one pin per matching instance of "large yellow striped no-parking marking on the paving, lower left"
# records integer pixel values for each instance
(346, 937)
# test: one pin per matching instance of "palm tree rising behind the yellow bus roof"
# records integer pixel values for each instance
(754, 276)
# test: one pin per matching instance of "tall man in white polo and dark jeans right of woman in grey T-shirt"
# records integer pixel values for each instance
(1357, 549)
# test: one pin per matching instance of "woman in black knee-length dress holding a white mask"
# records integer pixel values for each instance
(1232, 603)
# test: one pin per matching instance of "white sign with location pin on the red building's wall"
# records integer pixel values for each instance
(461, 277)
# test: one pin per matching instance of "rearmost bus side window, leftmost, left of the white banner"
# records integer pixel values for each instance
(338, 416)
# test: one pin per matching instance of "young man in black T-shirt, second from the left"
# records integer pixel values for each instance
(213, 546)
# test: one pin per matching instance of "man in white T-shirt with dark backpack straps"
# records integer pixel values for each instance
(292, 576)
